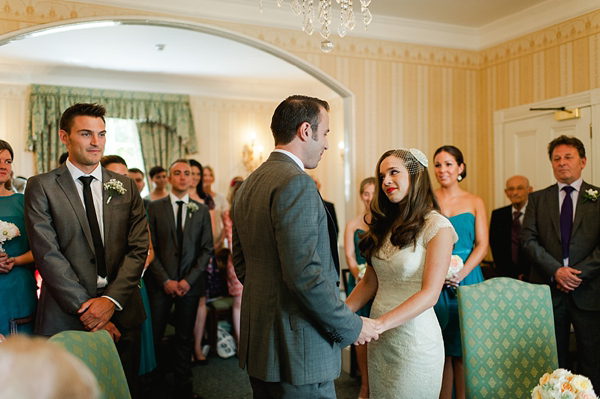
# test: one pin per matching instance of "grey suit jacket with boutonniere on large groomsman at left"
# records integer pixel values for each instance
(61, 241)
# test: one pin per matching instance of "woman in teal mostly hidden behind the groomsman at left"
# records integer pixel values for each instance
(117, 164)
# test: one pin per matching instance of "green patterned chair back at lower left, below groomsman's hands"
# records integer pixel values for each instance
(97, 350)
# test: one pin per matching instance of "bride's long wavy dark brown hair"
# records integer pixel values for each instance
(405, 219)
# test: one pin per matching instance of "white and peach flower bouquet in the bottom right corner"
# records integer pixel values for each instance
(562, 384)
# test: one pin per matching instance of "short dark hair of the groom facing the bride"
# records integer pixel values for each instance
(293, 112)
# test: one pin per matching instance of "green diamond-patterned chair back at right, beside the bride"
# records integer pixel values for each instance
(507, 334)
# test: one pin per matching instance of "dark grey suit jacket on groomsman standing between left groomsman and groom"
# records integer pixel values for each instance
(197, 244)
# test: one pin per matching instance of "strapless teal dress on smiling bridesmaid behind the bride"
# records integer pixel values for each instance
(446, 308)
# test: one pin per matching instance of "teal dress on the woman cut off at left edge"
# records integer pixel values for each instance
(18, 297)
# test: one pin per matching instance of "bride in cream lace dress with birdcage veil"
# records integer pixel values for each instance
(408, 249)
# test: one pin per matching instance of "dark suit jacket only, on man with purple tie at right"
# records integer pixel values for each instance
(541, 239)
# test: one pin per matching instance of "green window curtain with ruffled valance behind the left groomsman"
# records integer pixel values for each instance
(166, 116)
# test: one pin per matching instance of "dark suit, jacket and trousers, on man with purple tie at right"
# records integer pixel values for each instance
(541, 239)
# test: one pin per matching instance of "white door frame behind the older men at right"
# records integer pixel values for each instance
(589, 98)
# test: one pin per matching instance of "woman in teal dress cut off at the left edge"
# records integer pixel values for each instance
(18, 297)
